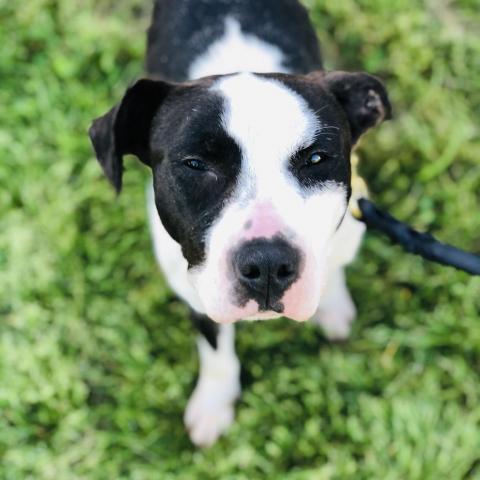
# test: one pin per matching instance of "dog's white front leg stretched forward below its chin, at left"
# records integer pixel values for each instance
(210, 410)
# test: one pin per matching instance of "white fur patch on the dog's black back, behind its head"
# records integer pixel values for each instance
(237, 52)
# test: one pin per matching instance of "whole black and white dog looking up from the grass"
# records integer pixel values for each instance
(251, 175)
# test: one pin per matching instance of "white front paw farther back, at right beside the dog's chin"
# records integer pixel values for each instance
(336, 322)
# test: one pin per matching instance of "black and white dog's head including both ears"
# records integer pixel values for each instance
(251, 177)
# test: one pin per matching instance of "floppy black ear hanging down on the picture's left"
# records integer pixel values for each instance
(125, 129)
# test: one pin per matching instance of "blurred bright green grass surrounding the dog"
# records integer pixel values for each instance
(96, 358)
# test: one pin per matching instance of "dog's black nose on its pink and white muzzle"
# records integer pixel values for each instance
(265, 269)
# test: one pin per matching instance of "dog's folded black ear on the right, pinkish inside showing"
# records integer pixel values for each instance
(363, 97)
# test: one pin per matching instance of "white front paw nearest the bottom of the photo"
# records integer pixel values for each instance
(210, 411)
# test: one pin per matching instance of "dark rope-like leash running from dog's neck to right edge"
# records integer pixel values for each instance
(423, 244)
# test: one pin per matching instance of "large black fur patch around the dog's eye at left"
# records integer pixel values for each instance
(189, 200)
